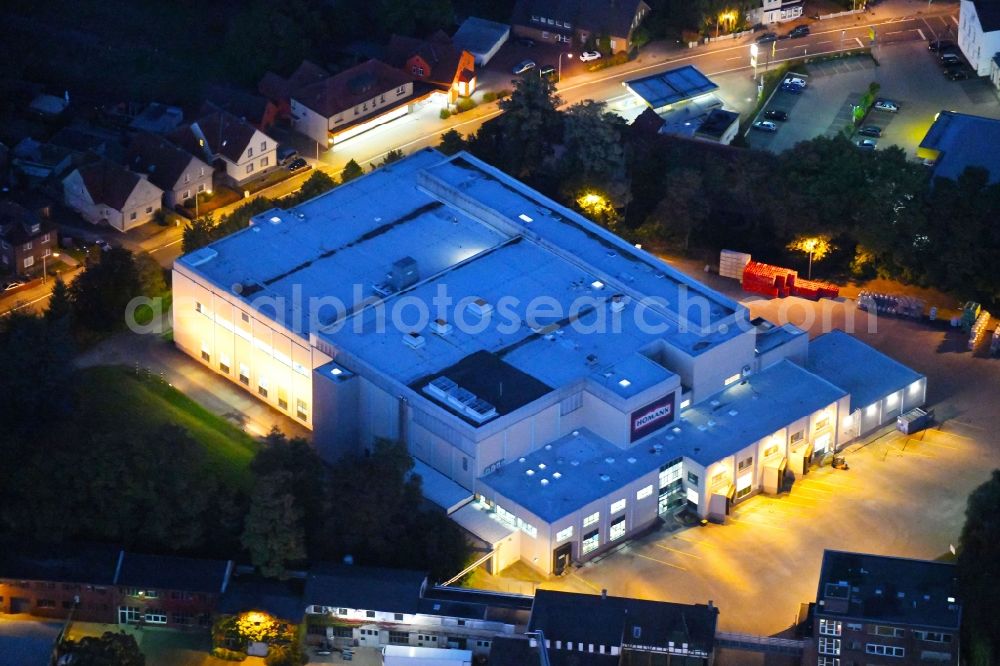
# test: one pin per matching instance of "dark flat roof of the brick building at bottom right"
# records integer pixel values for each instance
(894, 590)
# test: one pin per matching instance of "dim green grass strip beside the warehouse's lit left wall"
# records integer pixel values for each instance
(115, 396)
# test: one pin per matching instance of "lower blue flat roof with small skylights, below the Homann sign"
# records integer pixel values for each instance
(591, 467)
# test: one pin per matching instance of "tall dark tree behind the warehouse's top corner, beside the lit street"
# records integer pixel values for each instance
(529, 126)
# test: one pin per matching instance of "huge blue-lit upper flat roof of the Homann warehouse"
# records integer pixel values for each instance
(475, 233)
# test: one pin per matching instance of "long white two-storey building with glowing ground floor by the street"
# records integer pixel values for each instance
(353, 102)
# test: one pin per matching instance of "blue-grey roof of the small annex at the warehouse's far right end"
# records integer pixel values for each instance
(863, 371)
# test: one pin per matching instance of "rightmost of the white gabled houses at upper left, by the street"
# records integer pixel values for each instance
(235, 147)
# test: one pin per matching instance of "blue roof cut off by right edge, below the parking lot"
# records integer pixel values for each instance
(963, 141)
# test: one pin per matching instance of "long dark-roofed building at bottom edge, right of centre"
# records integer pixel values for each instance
(600, 630)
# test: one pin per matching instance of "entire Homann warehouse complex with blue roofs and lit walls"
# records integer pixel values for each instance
(559, 388)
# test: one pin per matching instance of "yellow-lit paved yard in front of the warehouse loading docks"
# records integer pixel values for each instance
(902, 496)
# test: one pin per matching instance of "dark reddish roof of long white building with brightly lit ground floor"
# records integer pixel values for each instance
(351, 87)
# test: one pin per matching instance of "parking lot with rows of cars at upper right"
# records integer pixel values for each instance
(908, 74)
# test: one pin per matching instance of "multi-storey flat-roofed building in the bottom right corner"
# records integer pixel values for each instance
(875, 609)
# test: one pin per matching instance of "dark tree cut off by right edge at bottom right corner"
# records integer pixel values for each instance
(978, 573)
